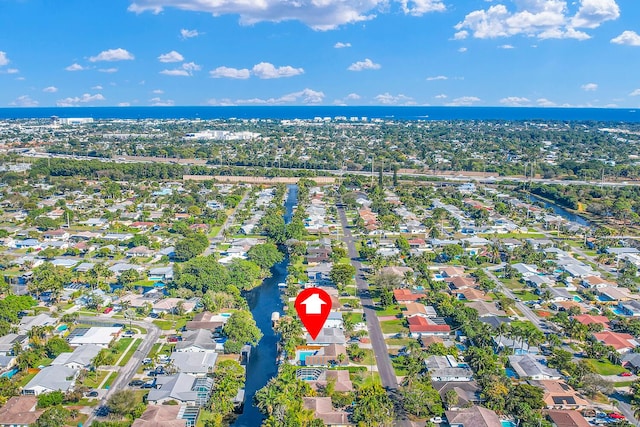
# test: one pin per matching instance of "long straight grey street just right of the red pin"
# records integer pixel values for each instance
(379, 346)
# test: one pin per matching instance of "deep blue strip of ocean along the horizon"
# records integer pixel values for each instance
(409, 113)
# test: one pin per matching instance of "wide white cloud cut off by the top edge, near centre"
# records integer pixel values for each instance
(321, 15)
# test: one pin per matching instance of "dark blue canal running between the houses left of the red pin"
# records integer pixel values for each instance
(264, 300)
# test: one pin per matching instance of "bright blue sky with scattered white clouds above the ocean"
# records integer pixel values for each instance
(320, 52)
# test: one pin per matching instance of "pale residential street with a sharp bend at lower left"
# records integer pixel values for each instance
(126, 373)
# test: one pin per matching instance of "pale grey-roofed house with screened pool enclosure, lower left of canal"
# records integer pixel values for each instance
(182, 388)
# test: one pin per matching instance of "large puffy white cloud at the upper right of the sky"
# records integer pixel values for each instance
(545, 19)
